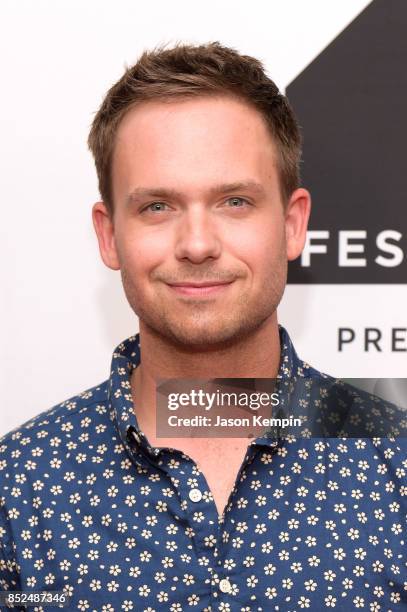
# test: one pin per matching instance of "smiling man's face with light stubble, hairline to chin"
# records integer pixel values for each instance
(206, 208)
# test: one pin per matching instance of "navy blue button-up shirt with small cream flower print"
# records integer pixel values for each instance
(88, 507)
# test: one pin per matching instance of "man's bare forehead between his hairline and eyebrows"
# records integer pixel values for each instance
(192, 141)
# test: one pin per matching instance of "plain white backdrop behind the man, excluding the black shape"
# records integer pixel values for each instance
(62, 311)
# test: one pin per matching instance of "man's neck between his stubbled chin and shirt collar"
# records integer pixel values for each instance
(257, 356)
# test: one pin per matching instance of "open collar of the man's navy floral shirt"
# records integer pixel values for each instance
(126, 357)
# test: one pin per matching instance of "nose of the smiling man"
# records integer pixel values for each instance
(197, 237)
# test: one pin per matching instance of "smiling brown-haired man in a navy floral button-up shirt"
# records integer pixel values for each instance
(197, 155)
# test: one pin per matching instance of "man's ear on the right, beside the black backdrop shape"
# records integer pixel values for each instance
(297, 213)
